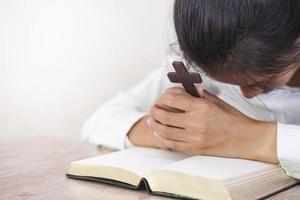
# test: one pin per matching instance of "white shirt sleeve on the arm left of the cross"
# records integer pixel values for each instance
(111, 122)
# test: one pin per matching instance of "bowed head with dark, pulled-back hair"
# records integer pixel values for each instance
(251, 43)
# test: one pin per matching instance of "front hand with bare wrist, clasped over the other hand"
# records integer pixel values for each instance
(210, 126)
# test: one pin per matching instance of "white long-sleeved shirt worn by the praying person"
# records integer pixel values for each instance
(109, 125)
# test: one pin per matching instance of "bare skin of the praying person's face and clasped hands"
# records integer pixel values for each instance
(210, 126)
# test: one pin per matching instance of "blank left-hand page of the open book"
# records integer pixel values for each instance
(138, 160)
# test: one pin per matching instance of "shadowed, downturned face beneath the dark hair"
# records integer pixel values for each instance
(256, 85)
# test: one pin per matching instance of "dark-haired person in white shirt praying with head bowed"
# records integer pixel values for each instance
(248, 53)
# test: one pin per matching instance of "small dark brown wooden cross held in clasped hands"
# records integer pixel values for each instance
(187, 79)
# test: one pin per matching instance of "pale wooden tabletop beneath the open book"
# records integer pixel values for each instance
(35, 169)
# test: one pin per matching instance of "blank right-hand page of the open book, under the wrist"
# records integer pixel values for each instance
(218, 168)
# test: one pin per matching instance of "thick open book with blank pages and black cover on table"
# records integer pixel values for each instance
(174, 174)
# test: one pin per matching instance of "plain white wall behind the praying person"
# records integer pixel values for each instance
(60, 59)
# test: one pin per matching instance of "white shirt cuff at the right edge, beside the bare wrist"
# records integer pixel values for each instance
(288, 151)
